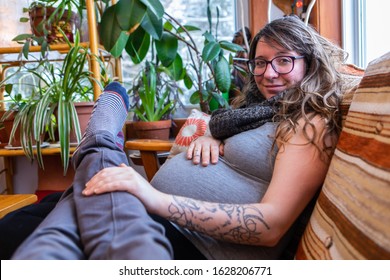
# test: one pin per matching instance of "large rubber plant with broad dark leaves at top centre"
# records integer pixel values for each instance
(138, 25)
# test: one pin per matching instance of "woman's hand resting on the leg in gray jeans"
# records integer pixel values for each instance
(123, 178)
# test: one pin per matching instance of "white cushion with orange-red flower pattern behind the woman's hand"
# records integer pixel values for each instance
(195, 126)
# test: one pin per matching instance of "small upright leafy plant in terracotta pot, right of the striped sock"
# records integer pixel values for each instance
(154, 97)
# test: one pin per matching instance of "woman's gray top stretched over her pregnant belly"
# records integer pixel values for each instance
(242, 175)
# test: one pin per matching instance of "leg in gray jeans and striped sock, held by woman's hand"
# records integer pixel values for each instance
(113, 225)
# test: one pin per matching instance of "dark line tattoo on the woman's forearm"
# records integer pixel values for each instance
(237, 223)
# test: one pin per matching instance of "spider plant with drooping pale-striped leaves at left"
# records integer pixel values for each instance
(51, 107)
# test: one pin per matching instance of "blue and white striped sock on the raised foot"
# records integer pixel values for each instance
(109, 113)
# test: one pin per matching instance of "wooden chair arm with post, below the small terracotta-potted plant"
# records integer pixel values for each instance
(148, 149)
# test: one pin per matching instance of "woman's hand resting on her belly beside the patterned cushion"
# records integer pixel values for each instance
(206, 149)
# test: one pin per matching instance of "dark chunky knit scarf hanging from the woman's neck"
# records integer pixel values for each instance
(225, 123)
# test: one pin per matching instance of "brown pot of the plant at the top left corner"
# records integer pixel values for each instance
(68, 23)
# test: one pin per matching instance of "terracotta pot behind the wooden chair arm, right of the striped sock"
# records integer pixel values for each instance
(153, 130)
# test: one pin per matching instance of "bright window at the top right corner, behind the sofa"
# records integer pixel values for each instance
(364, 30)
